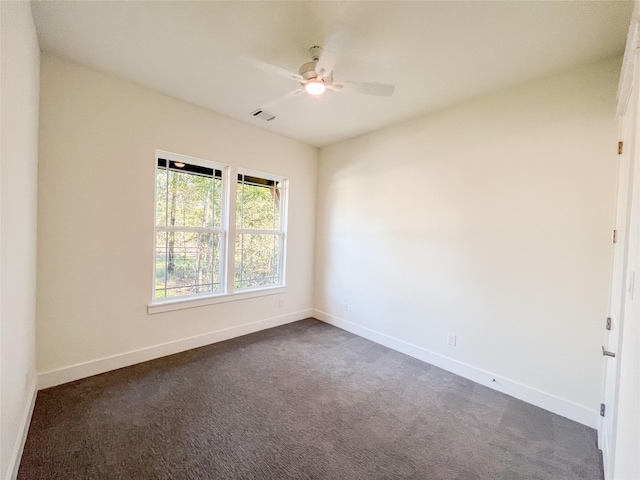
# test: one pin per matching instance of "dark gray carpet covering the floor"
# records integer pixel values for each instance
(301, 401)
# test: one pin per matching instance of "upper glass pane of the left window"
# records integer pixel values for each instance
(190, 200)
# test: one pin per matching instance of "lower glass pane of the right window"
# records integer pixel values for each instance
(256, 260)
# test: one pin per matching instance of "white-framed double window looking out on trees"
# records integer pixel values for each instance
(196, 237)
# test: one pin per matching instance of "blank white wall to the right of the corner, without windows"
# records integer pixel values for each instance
(491, 220)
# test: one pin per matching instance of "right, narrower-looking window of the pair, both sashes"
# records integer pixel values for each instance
(259, 238)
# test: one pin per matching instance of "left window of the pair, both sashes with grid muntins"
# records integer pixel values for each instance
(189, 244)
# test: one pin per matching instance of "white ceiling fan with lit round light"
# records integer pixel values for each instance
(316, 76)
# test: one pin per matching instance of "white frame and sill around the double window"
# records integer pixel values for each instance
(227, 231)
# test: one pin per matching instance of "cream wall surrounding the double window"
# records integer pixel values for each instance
(98, 137)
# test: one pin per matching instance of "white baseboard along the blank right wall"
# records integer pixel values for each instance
(531, 395)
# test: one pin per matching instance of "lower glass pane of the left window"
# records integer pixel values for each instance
(187, 263)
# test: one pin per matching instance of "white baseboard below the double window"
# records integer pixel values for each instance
(105, 364)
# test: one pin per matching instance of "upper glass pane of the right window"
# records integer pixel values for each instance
(258, 206)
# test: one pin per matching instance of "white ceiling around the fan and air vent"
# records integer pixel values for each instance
(436, 53)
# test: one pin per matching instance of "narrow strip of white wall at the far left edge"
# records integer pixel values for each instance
(18, 207)
